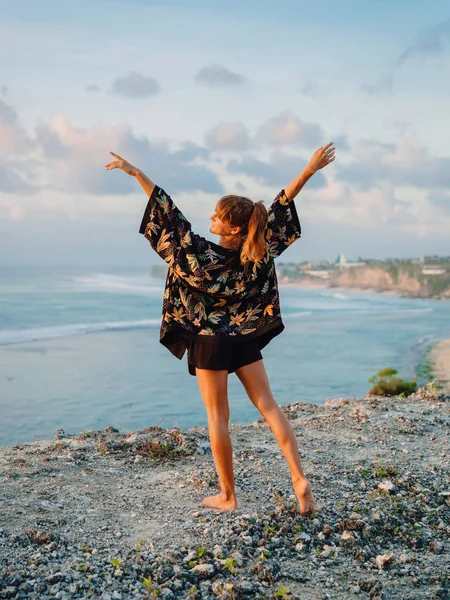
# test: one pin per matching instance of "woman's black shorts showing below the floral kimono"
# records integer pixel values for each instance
(227, 356)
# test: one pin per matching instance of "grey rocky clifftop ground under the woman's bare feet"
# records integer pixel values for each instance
(116, 515)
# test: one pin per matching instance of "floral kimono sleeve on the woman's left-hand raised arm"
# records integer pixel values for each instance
(166, 228)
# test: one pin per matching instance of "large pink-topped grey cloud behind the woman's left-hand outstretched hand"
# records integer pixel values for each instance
(84, 152)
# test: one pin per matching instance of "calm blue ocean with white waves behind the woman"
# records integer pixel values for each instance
(79, 349)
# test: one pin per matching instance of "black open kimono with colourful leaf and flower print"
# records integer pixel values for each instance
(209, 296)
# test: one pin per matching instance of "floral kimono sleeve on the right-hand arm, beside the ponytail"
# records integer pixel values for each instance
(283, 226)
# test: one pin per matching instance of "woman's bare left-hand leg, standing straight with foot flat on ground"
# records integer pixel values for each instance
(213, 387)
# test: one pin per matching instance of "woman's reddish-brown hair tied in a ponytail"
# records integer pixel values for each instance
(252, 218)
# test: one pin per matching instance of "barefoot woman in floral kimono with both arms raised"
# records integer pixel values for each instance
(221, 304)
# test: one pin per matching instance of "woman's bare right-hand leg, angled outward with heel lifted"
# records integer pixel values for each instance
(256, 384)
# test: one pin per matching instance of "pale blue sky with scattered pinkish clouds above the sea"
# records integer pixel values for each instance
(214, 98)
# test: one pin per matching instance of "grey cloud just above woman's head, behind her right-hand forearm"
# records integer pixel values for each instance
(278, 172)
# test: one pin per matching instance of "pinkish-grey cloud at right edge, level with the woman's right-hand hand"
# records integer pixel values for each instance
(406, 163)
